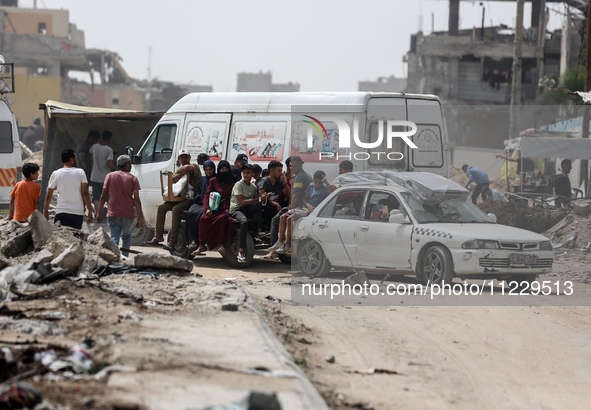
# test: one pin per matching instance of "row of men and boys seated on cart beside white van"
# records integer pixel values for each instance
(280, 198)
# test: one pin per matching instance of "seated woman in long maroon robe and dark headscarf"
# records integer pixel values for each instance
(215, 227)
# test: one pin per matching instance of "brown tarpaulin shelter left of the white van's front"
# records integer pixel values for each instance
(67, 125)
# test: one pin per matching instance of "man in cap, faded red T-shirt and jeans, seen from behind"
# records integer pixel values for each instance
(123, 189)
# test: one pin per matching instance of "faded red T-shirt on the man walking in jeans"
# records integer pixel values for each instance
(121, 186)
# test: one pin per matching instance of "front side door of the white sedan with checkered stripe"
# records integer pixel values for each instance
(381, 244)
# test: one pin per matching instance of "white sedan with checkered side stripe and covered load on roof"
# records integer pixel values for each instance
(415, 223)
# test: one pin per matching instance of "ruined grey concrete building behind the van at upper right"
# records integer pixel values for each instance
(471, 71)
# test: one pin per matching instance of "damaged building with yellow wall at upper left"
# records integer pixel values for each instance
(51, 62)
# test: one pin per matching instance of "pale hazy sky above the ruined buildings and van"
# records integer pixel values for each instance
(324, 45)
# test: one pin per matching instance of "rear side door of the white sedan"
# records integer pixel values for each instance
(335, 227)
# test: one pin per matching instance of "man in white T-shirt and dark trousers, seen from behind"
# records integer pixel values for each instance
(69, 181)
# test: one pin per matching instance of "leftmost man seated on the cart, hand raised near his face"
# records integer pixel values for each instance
(194, 175)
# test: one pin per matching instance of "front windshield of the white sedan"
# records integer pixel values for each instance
(447, 212)
